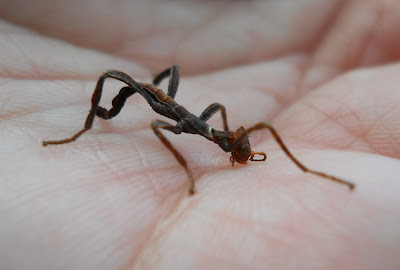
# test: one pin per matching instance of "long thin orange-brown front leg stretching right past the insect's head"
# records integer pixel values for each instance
(295, 160)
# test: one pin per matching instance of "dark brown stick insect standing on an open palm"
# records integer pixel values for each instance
(237, 143)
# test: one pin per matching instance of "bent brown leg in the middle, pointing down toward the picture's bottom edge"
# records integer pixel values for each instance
(156, 125)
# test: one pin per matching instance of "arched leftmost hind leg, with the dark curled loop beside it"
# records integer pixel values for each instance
(118, 102)
